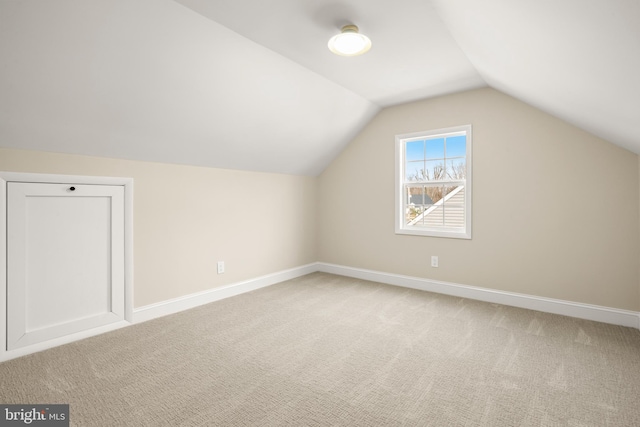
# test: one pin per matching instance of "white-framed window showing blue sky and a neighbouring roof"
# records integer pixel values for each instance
(433, 183)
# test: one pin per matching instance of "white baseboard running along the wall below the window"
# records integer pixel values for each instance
(567, 308)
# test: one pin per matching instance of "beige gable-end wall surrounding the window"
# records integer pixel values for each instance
(555, 209)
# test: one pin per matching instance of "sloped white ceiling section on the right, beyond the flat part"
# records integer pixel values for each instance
(576, 59)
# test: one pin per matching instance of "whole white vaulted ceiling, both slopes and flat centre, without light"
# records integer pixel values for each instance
(250, 84)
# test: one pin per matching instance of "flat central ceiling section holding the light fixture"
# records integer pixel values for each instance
(413, 55)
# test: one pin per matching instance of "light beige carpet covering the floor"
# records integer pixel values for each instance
(325, 350)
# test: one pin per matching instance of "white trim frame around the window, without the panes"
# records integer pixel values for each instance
(400, 227)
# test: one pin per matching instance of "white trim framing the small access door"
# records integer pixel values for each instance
(127, 183)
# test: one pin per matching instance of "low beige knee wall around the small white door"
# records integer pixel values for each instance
(187, 218)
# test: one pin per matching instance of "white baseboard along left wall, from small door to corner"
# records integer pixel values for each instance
(186, 302)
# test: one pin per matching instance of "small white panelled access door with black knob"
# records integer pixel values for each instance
(65, 259)
